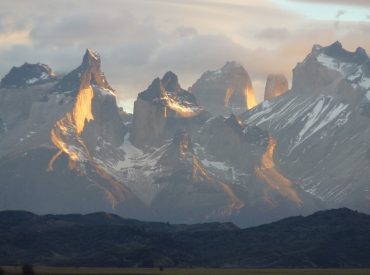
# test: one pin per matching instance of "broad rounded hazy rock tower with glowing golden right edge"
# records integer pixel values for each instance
(226, 90)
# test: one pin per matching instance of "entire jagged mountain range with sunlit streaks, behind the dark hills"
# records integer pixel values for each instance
(209, 153)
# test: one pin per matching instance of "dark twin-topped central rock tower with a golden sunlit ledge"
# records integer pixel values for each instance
(163, 109)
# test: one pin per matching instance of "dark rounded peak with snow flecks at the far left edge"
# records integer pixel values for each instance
(27, 75)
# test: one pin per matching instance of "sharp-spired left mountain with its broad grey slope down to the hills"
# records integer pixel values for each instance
(58, 140)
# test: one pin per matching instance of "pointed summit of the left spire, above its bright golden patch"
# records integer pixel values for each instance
(88, 73)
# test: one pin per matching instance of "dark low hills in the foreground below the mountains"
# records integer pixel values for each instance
(332, 238)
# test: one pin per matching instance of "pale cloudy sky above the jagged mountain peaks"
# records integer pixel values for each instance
(139, 40)
